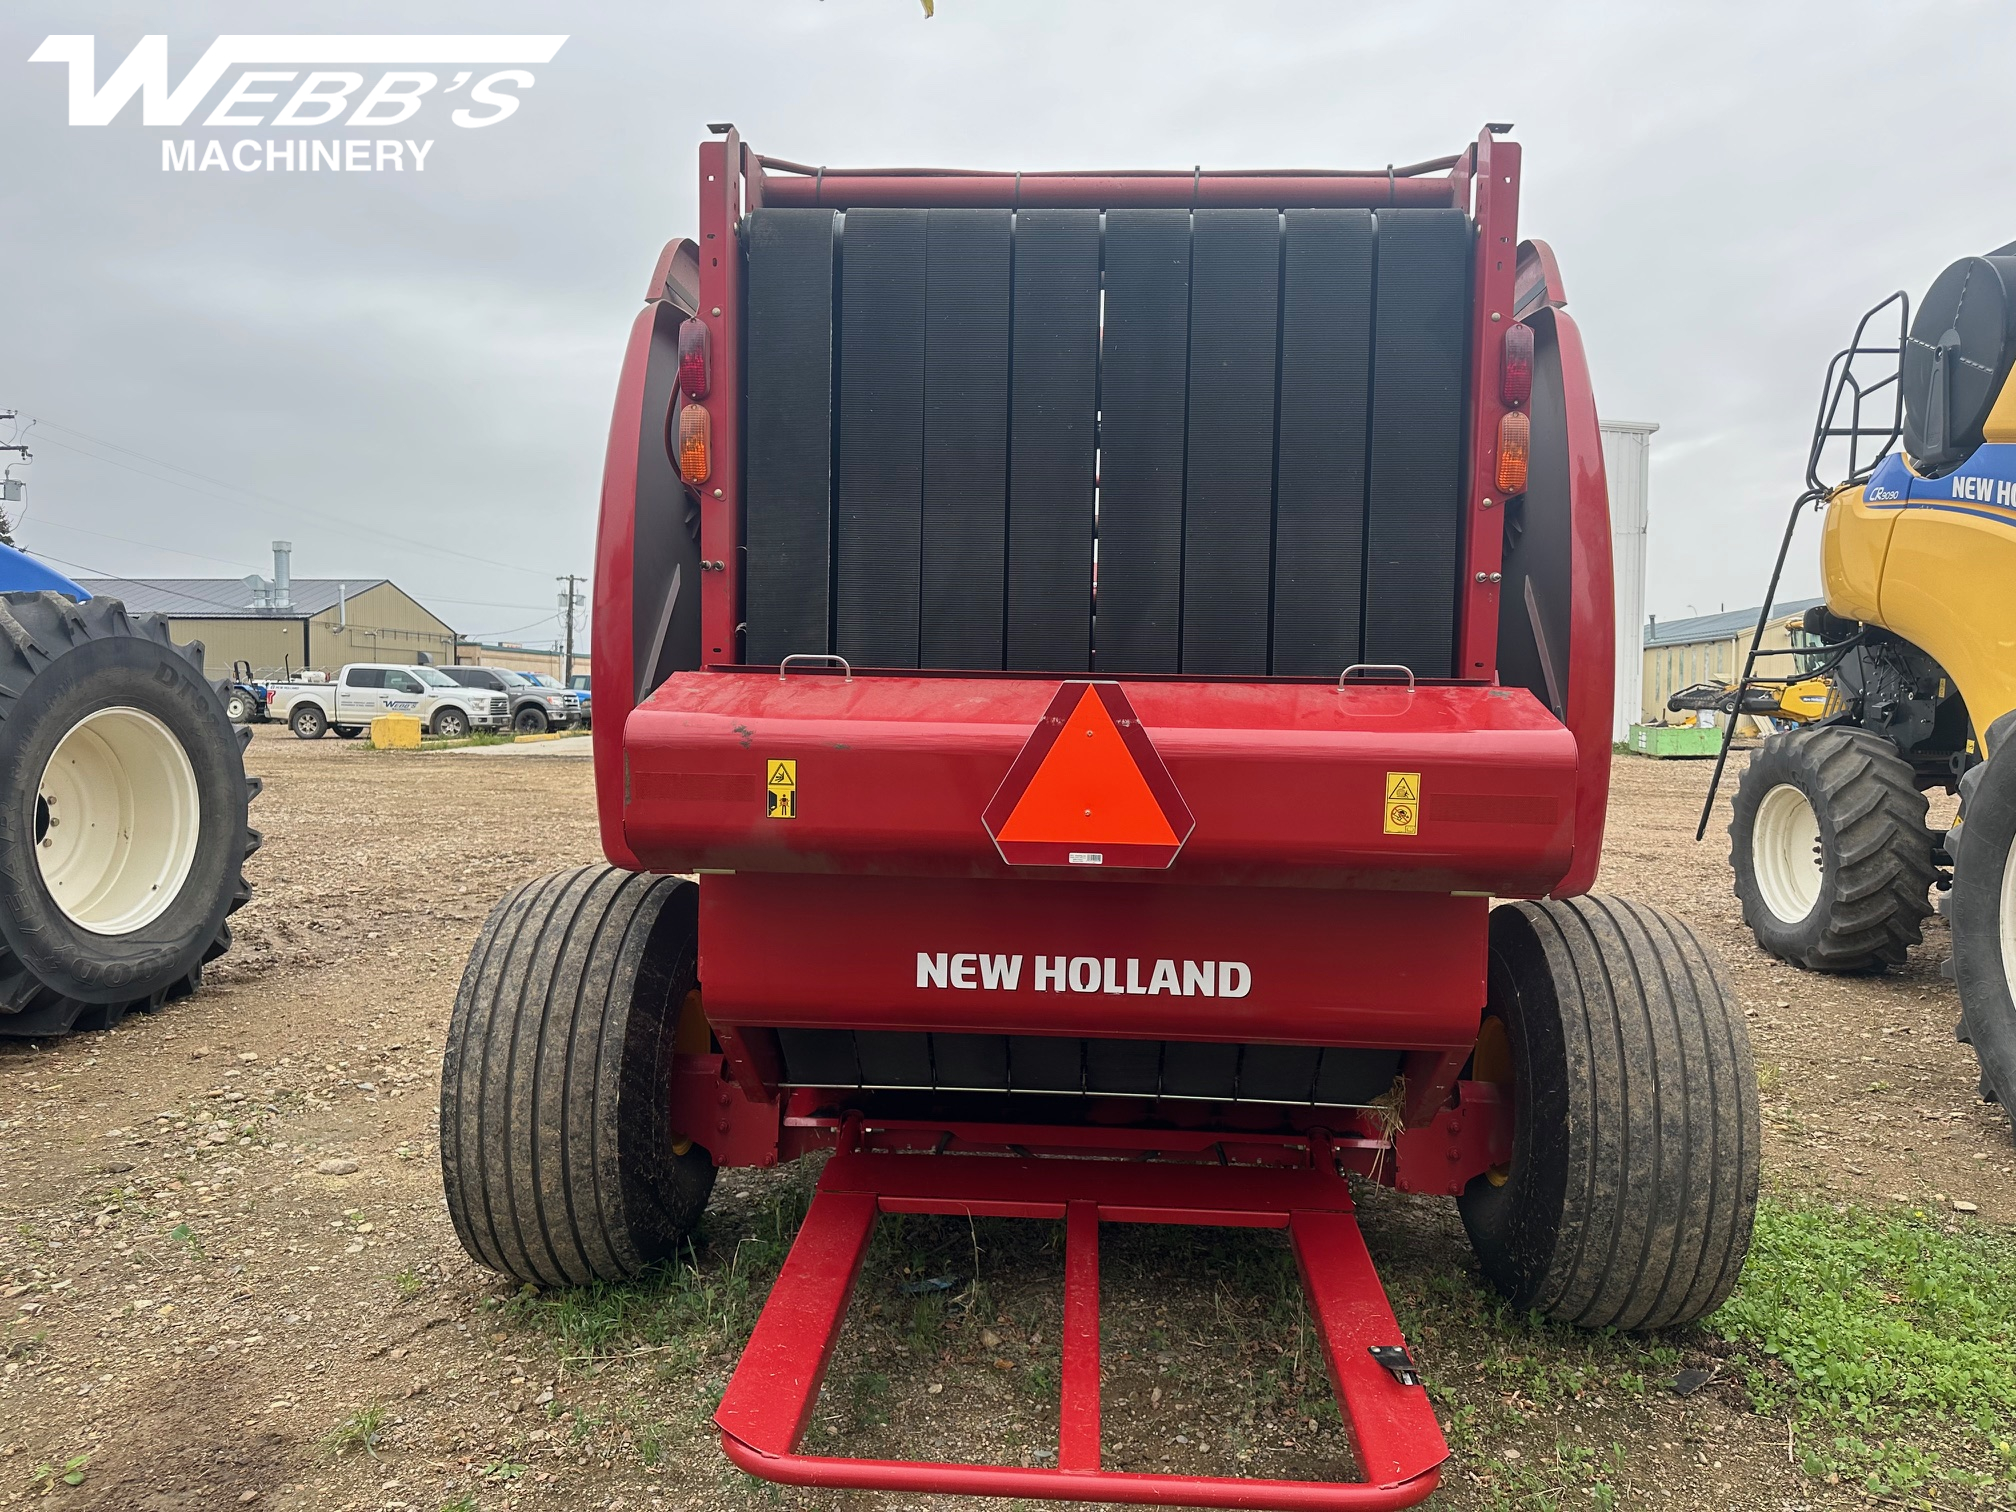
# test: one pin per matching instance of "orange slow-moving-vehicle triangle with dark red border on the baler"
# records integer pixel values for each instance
(1090, 789)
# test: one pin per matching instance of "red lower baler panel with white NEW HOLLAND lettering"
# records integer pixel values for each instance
(1031, 959)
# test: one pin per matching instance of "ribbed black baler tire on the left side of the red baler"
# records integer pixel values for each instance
(557, 1146)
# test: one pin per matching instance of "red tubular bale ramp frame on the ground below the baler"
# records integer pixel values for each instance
(775, 1390)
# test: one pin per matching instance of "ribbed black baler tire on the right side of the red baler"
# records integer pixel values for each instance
(1634, 1176)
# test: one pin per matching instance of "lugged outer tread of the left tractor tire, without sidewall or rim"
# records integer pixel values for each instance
(35, 630)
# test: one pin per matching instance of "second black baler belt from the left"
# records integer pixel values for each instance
(882, 436)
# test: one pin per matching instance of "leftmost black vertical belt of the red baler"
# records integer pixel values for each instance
(789, 428)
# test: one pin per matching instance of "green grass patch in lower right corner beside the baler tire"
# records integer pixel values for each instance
(1882, 1334)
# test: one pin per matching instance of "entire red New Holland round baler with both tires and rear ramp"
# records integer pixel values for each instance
(1106, 721)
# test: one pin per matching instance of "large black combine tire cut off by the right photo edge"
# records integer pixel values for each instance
(1985, 928)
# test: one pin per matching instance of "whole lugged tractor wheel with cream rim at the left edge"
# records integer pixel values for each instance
(122, 815)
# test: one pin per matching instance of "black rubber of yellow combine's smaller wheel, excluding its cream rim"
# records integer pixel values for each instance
(1878, 892)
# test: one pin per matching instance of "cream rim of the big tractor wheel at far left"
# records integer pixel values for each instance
(116, 822)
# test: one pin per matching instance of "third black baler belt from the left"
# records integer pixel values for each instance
(965, 559)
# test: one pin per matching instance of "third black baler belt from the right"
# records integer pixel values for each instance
(1229, 493)
